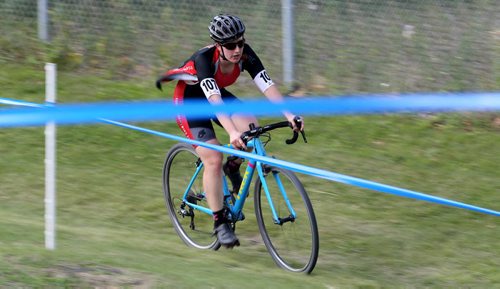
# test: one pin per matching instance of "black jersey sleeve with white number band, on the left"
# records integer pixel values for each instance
(205, 73)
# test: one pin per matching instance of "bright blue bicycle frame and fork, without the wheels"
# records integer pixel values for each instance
(236, 208)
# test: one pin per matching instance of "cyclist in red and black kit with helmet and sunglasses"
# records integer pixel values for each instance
(204, 76)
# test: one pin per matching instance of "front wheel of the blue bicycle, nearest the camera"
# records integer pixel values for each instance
(293, 245)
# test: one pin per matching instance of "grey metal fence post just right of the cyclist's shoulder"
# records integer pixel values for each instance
(288, 46)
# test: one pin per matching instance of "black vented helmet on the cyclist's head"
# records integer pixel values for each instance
(224, 28)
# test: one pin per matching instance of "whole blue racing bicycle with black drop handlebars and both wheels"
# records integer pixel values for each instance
(284, 213)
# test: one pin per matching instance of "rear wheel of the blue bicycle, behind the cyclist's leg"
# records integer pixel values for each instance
(194, 227)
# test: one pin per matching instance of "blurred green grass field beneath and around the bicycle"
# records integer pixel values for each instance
(113, 230)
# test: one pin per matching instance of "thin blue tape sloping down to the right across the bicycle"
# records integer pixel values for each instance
(314, 171)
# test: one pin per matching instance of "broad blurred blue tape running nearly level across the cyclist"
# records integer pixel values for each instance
(163, 110)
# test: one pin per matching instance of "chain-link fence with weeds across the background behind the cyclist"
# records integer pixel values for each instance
(340, 46)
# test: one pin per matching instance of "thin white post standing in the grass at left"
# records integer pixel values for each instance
(50, 160)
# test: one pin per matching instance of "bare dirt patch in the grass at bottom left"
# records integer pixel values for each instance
(97, 276)
